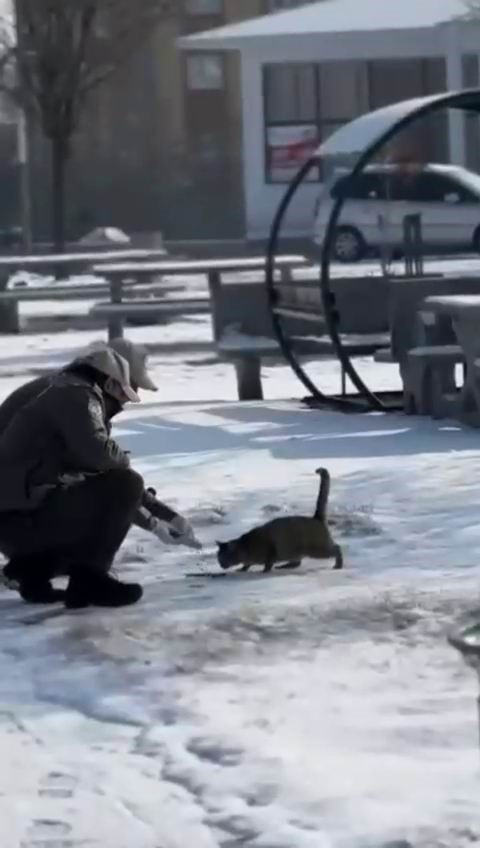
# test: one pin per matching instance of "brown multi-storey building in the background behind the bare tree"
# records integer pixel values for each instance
(160, 147)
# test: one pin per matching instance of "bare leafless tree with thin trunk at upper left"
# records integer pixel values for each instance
(61, 51)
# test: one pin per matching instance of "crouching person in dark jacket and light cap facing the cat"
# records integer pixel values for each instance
(68, 495)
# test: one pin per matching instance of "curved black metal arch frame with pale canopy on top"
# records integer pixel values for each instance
(358, 141)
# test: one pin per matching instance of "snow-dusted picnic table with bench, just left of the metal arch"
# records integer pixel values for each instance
(117, 274)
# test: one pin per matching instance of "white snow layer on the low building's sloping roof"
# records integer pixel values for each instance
(334, 16)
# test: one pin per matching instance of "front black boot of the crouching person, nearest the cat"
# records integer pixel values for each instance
(88, 588)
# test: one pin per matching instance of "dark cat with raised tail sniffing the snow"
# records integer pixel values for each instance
(285, 540)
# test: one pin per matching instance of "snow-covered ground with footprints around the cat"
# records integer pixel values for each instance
(316, 709)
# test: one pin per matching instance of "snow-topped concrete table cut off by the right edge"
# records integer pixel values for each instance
(463, 311)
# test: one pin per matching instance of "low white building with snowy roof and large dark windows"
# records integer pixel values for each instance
(306, 72)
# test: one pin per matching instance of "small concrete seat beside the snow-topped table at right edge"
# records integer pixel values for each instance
(429, 386)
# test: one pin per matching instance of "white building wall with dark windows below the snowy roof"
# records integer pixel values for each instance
(322, 96)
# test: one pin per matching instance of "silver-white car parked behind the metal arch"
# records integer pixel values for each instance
(446, 196)
